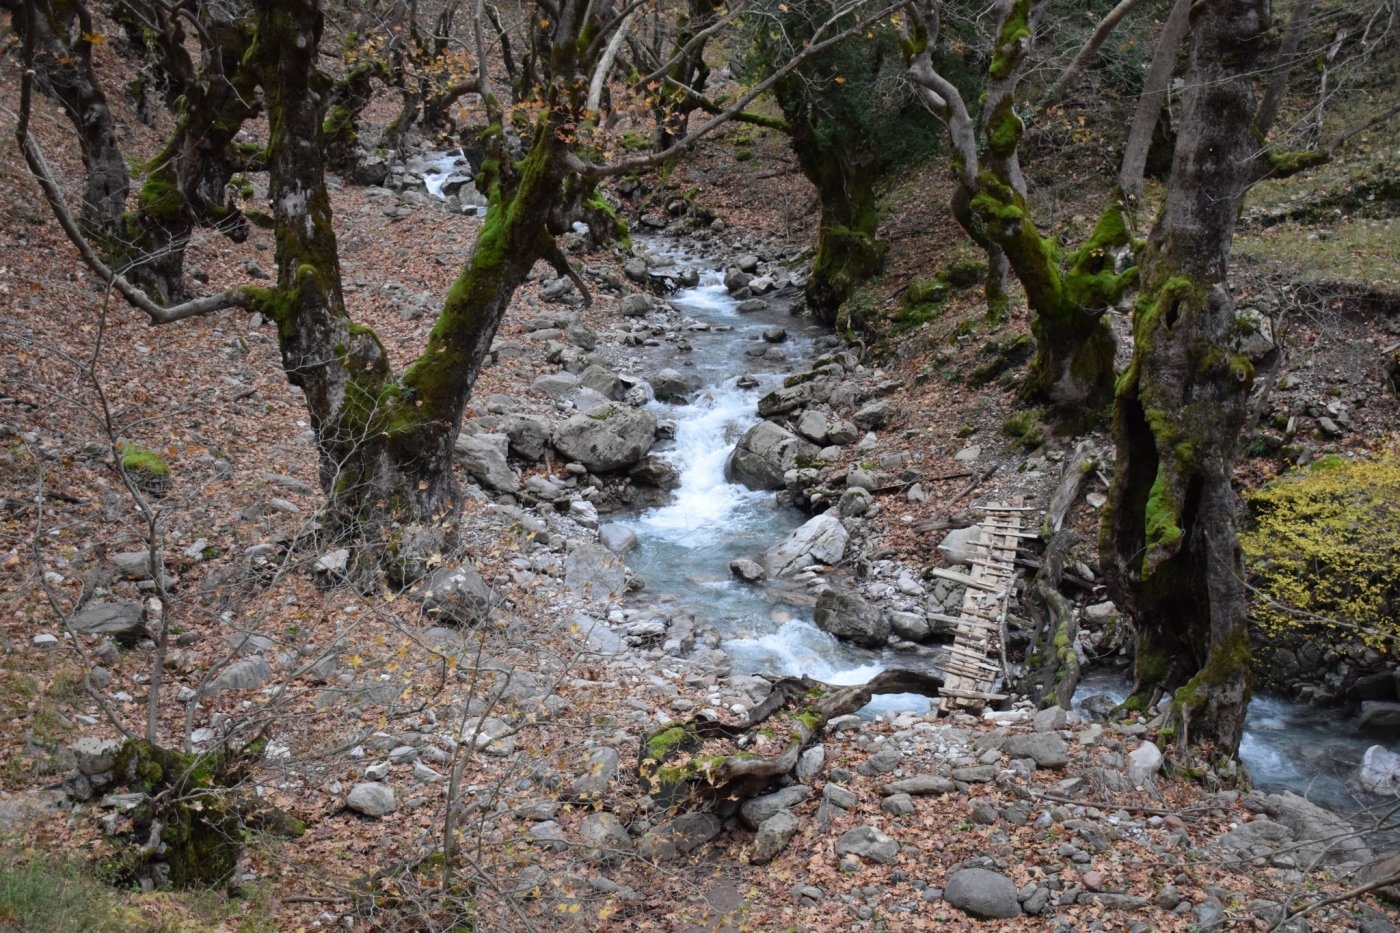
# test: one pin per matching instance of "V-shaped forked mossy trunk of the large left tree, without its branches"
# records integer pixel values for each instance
(384, 441)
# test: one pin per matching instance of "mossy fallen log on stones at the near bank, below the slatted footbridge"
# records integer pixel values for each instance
(708, 763)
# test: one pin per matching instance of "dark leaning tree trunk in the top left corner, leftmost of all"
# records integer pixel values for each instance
(64, 61)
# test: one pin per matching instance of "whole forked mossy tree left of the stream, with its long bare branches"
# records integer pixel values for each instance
(386, 438)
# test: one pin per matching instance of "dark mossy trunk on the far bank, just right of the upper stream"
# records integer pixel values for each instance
(849, 251)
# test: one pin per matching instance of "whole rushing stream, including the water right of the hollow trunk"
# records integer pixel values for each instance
(688, 544)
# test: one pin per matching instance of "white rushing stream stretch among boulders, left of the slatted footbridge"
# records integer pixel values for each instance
(687, 546)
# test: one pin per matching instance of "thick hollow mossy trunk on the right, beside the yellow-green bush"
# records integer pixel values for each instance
(1170, 541)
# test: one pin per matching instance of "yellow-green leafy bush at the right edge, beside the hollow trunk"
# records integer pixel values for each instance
(1324, 551)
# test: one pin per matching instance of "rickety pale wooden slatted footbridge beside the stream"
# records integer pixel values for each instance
(976, 659)
